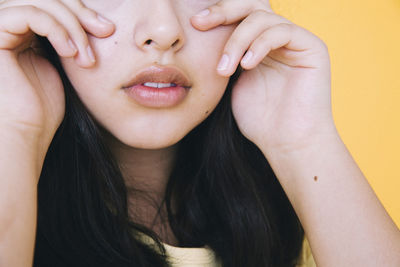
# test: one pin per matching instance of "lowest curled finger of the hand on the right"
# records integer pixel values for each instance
(290, 39)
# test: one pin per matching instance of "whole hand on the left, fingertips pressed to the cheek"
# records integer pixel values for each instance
(32, 100)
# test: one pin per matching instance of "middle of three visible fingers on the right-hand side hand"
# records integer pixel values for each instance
(244, 34)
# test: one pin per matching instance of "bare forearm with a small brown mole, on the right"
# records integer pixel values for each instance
(344, 221)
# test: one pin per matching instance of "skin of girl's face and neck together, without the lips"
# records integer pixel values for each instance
(144, 139)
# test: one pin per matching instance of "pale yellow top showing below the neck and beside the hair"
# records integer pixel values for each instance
(205, 257)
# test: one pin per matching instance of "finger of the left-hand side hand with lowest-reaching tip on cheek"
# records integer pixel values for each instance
(69, 21)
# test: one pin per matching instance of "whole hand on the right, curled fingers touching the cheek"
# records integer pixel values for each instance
(282, 98)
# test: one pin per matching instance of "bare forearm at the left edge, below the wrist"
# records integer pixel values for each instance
(18, 201)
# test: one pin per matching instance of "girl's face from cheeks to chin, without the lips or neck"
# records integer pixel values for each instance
(150, 33)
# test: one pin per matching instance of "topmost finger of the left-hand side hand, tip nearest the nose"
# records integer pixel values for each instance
(90, 20)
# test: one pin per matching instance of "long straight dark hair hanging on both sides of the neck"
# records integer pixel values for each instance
(226, 195)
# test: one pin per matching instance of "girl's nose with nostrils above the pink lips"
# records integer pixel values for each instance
(160, 29)
